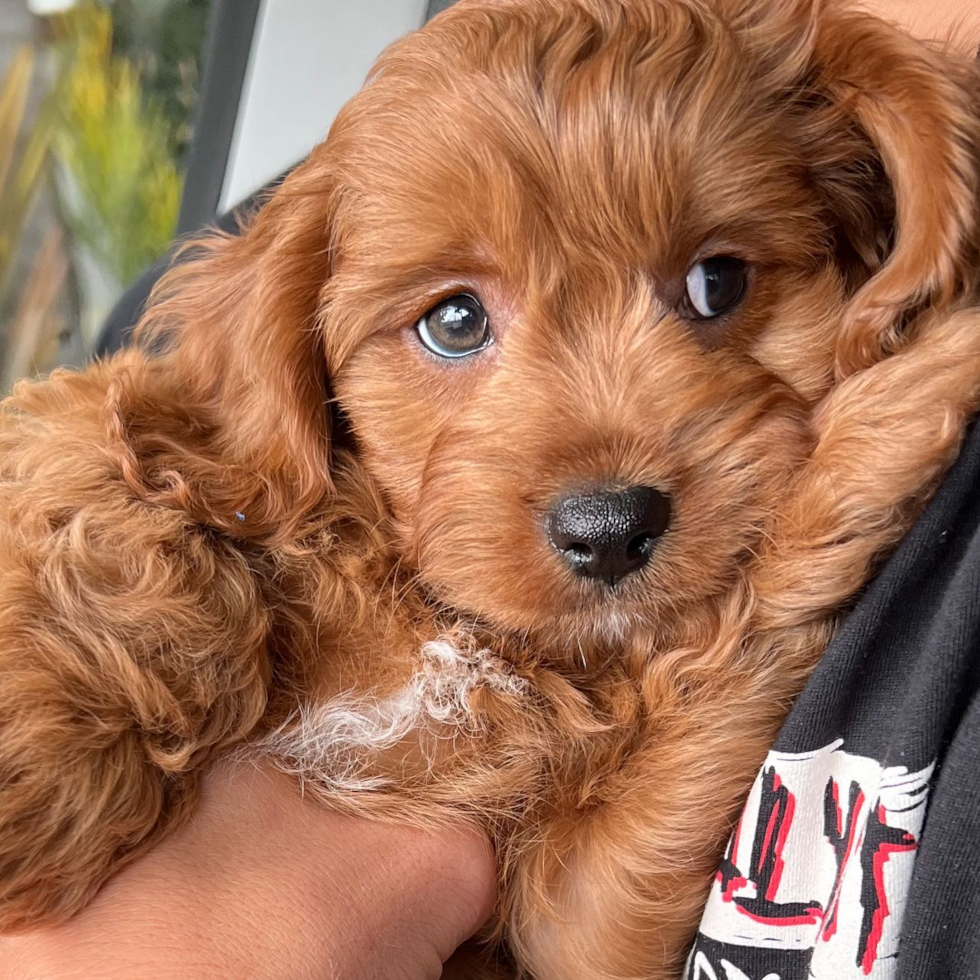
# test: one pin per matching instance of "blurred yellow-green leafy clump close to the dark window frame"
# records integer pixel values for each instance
(122, 196)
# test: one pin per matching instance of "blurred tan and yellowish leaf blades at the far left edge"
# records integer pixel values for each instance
(29, 325)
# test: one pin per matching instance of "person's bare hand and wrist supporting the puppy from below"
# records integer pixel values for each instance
(265, 885)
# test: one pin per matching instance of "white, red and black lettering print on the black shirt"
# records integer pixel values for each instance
(817, 871)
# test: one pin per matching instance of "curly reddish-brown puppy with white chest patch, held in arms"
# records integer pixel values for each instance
(517, 462)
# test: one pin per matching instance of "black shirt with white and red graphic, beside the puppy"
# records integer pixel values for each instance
(858, 852)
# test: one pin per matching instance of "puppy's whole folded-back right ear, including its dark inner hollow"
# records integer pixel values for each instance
(879, 107)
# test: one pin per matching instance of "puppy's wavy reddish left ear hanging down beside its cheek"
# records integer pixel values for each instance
(234, 336)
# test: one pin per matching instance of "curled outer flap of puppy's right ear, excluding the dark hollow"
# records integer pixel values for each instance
(922, 122)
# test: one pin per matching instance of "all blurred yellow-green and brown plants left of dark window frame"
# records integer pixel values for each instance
(111, 127)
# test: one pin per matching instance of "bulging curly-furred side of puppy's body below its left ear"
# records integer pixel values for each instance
(132, 646)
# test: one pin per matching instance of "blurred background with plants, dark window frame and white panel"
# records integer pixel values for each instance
(127, 123)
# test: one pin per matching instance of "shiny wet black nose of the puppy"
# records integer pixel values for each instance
(607, 534)
